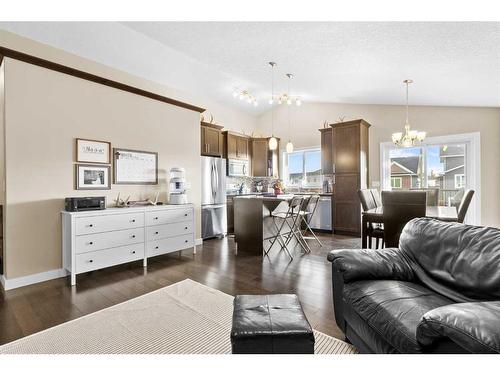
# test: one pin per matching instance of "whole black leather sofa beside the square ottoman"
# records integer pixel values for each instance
(439, 292)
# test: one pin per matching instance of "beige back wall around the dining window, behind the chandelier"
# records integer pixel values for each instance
(437, 121)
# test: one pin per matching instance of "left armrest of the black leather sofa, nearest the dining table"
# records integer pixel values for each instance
(365, 264)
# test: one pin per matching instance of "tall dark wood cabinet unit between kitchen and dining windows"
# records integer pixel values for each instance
(347, 148)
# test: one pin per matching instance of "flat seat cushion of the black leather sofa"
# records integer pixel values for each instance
(393, 309)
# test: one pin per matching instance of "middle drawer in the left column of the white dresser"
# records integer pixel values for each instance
(92, 242)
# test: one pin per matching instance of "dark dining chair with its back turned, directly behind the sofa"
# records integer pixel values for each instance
(399, 208)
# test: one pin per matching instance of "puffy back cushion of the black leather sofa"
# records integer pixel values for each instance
(459, 261)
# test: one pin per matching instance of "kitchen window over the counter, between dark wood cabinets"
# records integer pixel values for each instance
(302, 168)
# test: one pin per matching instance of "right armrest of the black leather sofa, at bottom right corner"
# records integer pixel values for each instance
(475, 326)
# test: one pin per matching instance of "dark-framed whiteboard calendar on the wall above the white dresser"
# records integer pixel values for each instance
(132, 167)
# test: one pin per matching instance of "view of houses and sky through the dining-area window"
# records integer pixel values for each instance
(440, 166)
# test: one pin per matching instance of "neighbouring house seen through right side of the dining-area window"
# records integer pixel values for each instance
(453, 160)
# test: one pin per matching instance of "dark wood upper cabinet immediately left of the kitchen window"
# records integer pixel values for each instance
(265, 162)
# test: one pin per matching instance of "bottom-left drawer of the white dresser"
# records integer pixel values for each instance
(109, 257)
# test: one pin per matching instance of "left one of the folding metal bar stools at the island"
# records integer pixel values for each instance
(291, 218)
